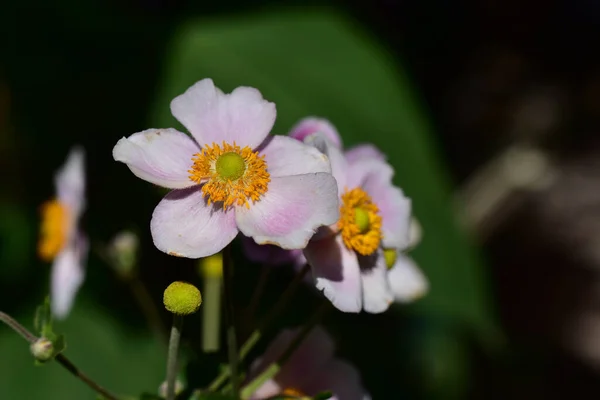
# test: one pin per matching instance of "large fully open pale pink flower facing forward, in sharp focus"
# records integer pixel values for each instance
(271, 188)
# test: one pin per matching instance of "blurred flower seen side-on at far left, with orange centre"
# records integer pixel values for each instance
(61, 241)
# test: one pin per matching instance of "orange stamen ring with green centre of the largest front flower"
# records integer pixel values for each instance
(230, 174)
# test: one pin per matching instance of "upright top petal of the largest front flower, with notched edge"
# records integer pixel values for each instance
(242, 116)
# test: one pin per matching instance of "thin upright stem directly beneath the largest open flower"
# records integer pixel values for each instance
(230, 319)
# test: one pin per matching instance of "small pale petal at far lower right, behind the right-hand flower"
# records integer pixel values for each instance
(406, 280)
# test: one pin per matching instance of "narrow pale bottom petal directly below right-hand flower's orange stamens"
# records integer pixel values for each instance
(377, 295)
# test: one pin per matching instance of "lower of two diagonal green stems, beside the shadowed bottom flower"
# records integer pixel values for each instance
(275, 367)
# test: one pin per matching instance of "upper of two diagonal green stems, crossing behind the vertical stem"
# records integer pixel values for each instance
(262, 326)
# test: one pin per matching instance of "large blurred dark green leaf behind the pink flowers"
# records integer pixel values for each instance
(318, 63)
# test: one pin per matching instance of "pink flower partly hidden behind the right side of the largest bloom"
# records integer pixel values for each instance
(347, 259)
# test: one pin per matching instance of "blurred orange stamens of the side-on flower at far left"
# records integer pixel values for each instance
(53, 230)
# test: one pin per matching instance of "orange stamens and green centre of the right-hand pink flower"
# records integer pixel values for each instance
(360, 222)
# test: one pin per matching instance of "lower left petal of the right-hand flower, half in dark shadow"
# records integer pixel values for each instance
(336, 272)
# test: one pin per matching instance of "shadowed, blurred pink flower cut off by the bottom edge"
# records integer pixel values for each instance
(311, 370)
